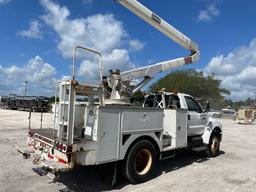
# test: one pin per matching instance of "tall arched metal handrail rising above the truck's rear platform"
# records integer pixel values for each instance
(90, 50)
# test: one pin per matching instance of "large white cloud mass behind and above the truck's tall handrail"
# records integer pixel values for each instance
(102, 32)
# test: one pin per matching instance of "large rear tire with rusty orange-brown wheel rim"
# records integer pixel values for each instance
(141, 162)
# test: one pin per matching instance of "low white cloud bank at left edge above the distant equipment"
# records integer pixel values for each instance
(39, 74)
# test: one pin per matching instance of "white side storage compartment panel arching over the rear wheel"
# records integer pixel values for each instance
(119, 126)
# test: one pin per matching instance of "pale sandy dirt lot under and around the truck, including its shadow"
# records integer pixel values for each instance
(233, 170)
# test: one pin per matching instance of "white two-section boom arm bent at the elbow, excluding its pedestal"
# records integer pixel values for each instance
(166, 29)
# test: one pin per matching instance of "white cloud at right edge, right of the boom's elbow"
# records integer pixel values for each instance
(237, 70)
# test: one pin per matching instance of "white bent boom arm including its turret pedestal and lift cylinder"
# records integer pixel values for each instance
(115, 79)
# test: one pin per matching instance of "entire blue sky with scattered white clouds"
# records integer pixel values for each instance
(37, 38)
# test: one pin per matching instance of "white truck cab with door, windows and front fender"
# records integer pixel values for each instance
(197, 119)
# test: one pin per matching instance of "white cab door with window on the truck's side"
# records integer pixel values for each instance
(197, 119)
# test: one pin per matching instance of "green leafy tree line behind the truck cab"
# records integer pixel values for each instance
(201, 86)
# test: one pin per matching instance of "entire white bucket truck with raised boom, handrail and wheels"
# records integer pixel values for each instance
(110, 129)
